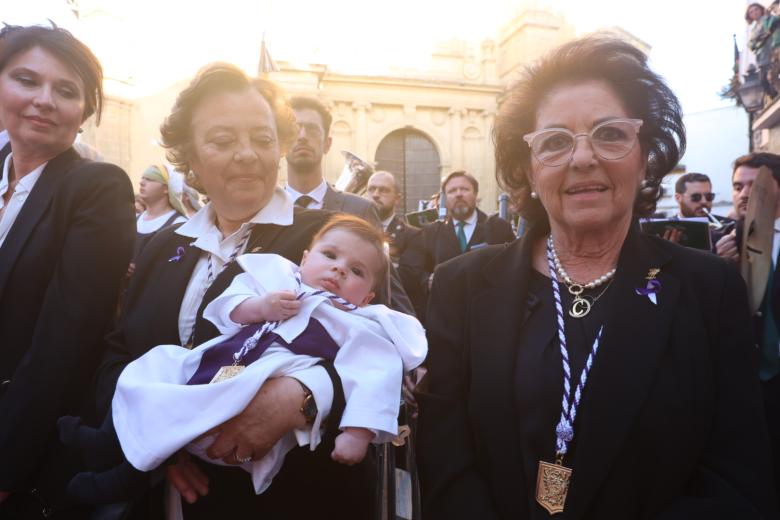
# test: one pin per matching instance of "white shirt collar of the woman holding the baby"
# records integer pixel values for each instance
(203, 228)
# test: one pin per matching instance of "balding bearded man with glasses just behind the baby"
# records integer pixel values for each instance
(383, 190)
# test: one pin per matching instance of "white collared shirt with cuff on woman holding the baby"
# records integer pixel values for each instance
(207, 237)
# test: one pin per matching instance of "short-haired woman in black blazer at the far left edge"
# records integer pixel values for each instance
(66, 236)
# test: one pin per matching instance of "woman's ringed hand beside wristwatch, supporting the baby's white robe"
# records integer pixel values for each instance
(274, 411)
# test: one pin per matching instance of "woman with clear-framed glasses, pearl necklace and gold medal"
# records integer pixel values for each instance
(589, 370)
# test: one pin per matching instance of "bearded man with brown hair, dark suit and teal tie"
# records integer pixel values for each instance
(466, 228)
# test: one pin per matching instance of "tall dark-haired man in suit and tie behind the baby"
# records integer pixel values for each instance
(308, 188)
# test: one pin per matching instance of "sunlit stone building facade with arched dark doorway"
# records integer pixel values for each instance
(418, 124)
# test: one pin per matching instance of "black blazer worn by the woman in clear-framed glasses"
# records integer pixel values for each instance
(672, 425)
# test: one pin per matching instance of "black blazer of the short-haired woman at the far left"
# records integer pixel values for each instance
(61, 266)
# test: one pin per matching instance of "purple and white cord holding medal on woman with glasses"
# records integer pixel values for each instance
(565, 429)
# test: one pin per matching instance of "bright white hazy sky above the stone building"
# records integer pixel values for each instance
(149, 44)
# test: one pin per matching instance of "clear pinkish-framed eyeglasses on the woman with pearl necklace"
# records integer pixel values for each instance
(610, 140)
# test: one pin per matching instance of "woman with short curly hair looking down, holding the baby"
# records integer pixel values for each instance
(228, 132)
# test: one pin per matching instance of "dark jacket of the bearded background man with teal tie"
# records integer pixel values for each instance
(435, 244)
